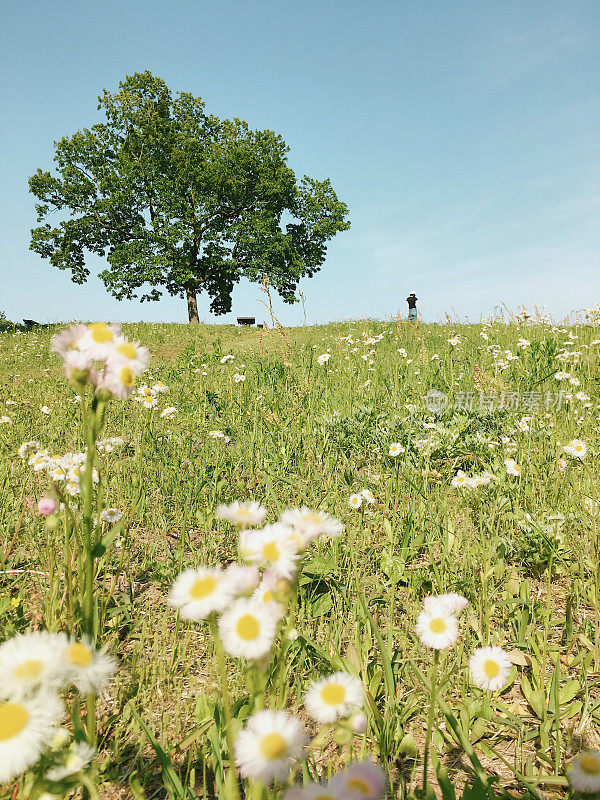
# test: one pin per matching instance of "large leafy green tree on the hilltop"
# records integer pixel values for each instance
(180, 201)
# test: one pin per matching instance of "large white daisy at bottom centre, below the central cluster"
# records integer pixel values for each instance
(269, 745)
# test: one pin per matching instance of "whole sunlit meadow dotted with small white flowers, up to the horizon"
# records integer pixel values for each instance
(466, 492)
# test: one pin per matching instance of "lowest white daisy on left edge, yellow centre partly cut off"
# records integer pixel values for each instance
(26, 730)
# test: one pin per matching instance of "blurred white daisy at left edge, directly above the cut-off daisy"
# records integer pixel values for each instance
(30, 661)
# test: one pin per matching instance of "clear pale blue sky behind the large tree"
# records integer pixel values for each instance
(463, 135)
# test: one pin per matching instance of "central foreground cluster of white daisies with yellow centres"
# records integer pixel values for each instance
(246, 606)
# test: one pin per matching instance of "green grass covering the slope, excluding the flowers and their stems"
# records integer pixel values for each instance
(305, 434)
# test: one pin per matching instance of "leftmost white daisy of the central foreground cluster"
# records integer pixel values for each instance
(199, 592)
